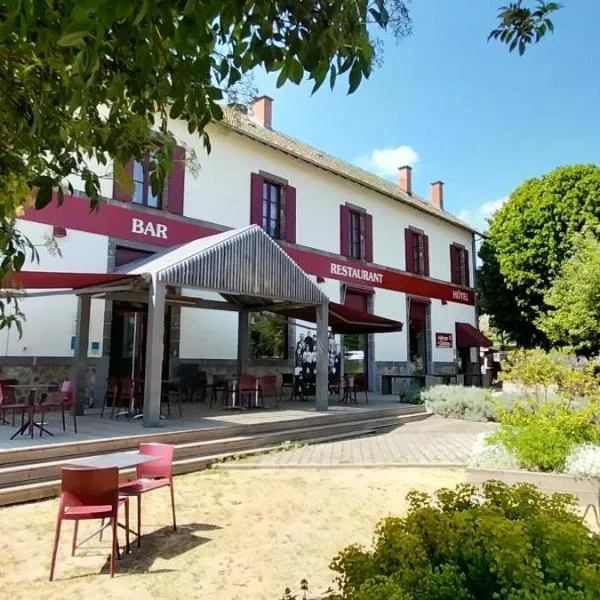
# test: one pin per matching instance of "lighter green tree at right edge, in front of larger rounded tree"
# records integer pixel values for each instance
(573, 318)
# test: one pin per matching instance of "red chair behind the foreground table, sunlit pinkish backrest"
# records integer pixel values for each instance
(152, 475)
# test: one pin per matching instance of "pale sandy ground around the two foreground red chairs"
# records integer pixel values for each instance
(243, 534)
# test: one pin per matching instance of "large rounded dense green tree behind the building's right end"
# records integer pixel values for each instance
(528, 241)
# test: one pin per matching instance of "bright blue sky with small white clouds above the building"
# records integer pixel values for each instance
(459, 108)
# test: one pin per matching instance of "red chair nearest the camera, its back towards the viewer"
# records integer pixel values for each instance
(88, 494)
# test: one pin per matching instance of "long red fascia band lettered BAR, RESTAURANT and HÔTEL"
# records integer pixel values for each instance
(157, 228)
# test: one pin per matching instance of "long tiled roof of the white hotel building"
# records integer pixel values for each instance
(239, 122)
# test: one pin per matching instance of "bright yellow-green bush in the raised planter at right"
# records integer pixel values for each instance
(543, 436)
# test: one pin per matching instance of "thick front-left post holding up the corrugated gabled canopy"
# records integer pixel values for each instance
(154, 352)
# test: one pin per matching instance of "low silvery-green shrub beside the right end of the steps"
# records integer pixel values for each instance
(459, 402)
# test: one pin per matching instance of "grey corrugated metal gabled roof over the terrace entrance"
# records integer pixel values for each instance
(241, 262)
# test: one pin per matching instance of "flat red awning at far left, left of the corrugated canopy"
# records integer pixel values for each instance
(40, 280)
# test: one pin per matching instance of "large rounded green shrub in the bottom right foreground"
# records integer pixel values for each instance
(505, 543)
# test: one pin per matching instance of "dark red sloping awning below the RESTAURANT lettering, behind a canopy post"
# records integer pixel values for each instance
(346, 320)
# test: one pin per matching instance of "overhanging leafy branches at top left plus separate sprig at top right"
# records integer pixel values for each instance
(88, 82)
